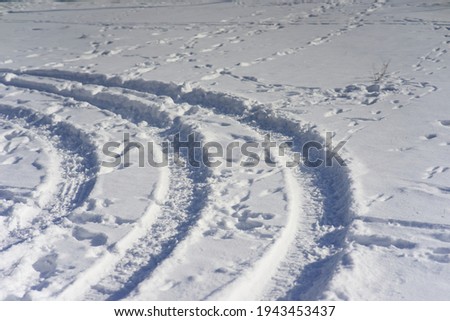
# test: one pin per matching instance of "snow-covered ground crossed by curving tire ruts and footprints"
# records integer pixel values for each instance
(75, 75)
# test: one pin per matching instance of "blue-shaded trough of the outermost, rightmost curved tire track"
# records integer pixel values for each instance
(332, 186)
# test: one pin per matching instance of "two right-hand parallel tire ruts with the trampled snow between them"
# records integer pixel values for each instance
(260, 250)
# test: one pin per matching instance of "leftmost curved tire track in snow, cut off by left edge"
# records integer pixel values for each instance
(78, 167)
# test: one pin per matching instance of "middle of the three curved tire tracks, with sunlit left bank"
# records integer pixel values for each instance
(170, 219)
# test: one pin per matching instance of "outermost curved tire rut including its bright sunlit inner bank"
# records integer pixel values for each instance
(311, 245)
